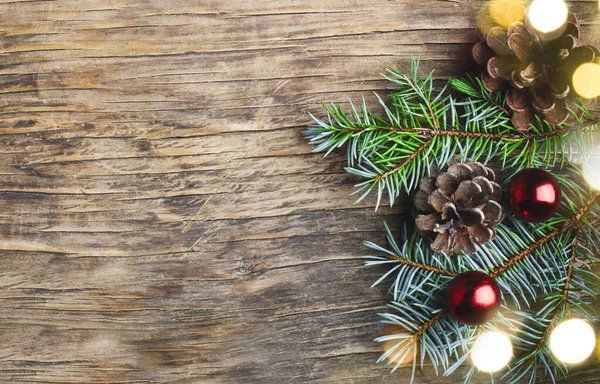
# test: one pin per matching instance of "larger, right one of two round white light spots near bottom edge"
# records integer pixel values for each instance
(572, 341)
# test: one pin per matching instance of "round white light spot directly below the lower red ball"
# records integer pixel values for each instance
(491, 352)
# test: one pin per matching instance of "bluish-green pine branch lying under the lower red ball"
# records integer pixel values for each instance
(516, 258)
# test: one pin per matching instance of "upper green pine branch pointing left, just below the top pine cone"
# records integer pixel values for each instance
(425, 128)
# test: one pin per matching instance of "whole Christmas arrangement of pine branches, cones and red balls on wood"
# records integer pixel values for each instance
(543, 268)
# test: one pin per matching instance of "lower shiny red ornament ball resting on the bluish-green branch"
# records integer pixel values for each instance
(473, 298)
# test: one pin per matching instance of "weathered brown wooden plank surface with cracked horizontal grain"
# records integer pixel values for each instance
(161, 217)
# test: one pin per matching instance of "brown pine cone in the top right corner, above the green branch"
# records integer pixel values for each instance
(539, 72)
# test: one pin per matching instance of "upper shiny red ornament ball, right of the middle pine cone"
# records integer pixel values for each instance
(533, 195)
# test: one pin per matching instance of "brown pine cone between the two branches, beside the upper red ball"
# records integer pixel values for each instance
(460, 206)
